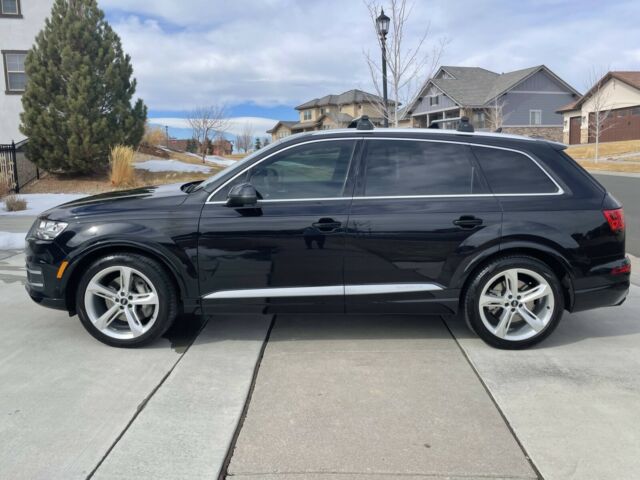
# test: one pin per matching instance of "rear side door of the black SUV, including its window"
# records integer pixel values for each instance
(420, 208)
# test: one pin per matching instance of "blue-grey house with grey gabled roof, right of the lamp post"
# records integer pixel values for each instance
(523, 101)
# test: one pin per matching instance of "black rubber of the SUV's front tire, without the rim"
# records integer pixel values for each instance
(155, 273)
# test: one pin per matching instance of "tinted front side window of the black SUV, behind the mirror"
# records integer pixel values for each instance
(314, 170)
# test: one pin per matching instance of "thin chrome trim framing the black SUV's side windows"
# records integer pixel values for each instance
(560, 190)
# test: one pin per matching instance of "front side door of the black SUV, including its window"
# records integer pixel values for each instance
(287, 254)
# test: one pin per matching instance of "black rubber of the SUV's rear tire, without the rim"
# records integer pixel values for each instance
(485, 274)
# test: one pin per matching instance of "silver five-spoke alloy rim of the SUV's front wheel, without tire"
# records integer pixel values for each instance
(121, 302)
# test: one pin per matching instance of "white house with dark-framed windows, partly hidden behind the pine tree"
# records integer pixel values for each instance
(20, 22)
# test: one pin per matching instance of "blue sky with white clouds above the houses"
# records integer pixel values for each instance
(263, 57)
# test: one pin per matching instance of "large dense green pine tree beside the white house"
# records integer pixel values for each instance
(77, 103)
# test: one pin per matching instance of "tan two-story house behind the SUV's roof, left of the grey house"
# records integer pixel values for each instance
(331, 111)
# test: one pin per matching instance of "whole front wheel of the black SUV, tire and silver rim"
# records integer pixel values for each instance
(126, 300)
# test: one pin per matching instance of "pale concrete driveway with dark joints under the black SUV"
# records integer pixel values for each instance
(333, 397)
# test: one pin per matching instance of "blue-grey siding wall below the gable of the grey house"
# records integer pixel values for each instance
(517, 106)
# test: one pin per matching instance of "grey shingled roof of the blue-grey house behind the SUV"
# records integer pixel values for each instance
(475, 86)
